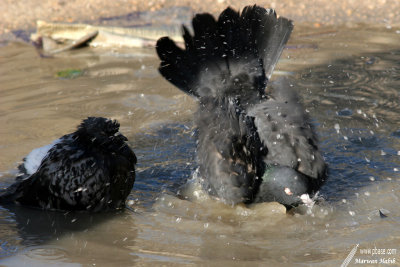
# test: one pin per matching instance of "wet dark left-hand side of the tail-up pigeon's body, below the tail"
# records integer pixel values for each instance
(228, 150)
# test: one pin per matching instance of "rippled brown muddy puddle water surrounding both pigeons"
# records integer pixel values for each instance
(349, 80)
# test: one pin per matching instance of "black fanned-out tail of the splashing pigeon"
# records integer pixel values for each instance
(219, 51)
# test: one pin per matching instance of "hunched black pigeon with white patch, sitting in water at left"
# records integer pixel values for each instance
(91, 169)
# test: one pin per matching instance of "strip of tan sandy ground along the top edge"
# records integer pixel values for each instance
(22, 15)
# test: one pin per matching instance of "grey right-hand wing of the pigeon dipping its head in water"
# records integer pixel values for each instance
(284, 129)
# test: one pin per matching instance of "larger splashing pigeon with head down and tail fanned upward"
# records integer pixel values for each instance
(253, 145)
